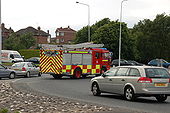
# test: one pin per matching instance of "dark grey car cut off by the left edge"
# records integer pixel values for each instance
(6, 73)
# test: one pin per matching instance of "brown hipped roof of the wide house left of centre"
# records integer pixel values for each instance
(32, 30)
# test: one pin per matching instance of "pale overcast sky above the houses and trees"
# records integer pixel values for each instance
(52, 14)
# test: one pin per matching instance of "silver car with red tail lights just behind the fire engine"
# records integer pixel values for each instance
(26, 68)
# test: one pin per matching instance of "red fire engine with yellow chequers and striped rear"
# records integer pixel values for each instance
(75, 62)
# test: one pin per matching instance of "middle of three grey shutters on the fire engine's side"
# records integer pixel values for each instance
(76, 58)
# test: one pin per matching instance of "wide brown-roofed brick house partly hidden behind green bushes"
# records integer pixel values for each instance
(41, 36)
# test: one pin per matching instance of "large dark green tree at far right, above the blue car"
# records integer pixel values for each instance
(153, 38)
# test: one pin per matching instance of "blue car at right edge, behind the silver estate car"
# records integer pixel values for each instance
(159, 62)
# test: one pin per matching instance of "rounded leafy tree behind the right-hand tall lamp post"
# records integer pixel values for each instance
(109, 36)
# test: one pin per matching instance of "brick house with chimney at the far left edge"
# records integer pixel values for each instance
(5, 33)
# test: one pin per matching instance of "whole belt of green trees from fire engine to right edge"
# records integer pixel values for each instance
(145, 41)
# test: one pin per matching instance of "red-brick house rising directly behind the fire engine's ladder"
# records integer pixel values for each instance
(65, 35)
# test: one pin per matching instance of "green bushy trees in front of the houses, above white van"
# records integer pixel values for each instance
(15, 42)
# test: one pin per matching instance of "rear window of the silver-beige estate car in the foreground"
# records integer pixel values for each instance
(157, 73)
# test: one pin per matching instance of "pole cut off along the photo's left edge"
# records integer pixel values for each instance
(0, 36)
